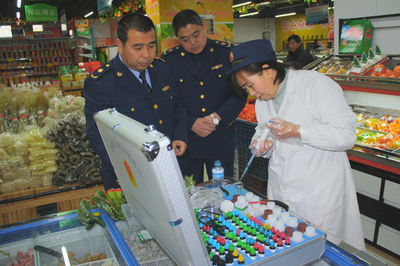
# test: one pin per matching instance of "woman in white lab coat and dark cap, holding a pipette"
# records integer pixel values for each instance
(311, 128)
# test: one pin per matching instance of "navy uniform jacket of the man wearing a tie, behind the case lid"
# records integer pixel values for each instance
(114, 86)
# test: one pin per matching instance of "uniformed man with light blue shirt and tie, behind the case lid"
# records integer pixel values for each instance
(137, 85)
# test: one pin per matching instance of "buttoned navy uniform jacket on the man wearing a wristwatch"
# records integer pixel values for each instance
(204, 92)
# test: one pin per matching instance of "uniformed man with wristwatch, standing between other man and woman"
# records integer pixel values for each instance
(199, 66)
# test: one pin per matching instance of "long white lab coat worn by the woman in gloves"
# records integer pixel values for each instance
(315, 178)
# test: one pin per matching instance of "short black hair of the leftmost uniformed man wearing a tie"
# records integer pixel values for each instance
(134, 21)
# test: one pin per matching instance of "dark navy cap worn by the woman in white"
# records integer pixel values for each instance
(249, 53)
